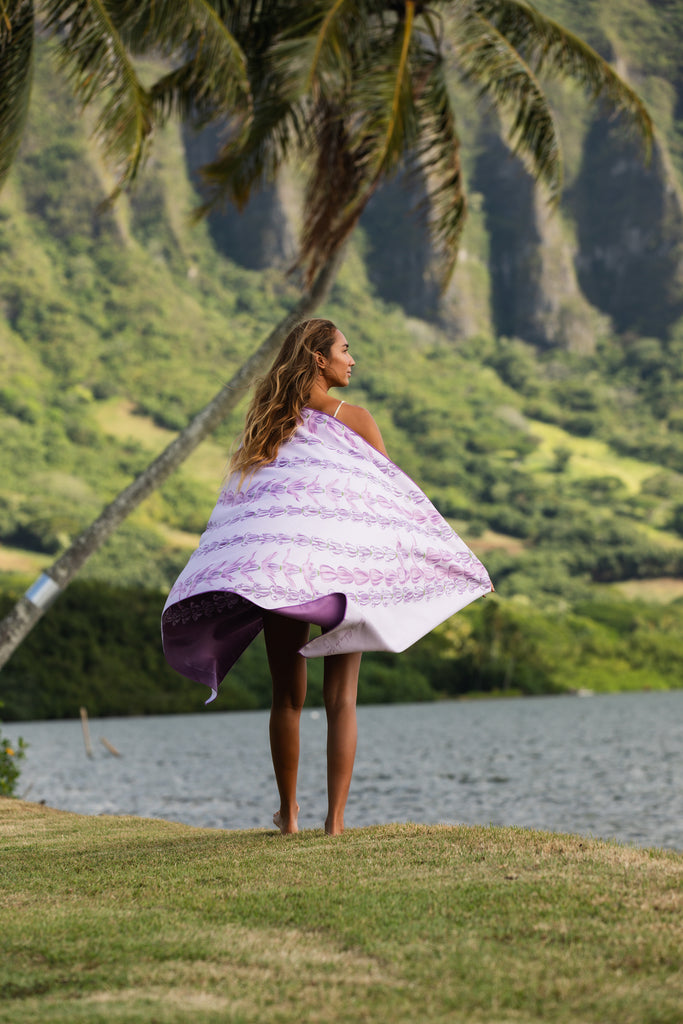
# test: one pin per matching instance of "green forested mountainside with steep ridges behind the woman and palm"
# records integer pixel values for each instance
(539, 402)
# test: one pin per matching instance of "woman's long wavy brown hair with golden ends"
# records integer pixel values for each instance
(280, 397)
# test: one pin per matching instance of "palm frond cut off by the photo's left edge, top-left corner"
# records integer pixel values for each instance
(17, 38)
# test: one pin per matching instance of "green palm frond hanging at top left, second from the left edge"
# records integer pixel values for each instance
(92, 51)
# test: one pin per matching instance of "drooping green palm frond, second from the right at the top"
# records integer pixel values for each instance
(487, 58)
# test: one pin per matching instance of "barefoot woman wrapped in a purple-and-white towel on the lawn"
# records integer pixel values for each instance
(315, 525)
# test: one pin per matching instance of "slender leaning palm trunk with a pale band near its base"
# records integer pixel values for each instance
(16, 627)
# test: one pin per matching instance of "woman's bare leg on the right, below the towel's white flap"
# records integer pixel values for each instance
(339, 692)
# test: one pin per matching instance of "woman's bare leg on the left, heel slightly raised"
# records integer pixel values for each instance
(284, 637)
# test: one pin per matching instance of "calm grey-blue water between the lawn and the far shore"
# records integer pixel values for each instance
(606, 766)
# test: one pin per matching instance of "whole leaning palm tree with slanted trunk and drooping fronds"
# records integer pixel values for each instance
(358, 89)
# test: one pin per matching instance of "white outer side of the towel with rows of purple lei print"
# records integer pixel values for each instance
(340, 500)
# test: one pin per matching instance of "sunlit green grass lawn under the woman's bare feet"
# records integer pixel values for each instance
(131, 920)
